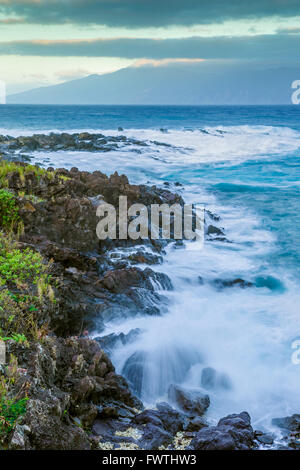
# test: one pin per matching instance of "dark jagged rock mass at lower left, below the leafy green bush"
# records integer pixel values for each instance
(67, 381)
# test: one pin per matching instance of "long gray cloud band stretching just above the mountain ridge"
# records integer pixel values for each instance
(265, 47)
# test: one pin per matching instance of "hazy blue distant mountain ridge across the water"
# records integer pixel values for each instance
(204, 83)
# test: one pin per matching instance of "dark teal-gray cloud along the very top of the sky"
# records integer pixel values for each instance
(141, 13)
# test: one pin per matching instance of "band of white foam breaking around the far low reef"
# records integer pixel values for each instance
(207, 145)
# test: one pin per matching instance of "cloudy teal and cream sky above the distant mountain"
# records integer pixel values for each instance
(46, 42)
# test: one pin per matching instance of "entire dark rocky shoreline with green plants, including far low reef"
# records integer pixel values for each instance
(74, 398)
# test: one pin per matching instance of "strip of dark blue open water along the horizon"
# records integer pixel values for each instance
(110, 117)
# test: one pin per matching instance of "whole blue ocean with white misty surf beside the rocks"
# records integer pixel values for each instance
(242, 163)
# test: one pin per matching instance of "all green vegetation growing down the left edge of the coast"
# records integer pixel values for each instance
(26, 293)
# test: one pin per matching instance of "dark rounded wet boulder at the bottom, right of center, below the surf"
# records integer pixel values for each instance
(234, 432)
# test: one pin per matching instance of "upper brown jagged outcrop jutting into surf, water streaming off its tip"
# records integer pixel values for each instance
(60, 221)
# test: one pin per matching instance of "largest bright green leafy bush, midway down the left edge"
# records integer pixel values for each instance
(25, 286)
